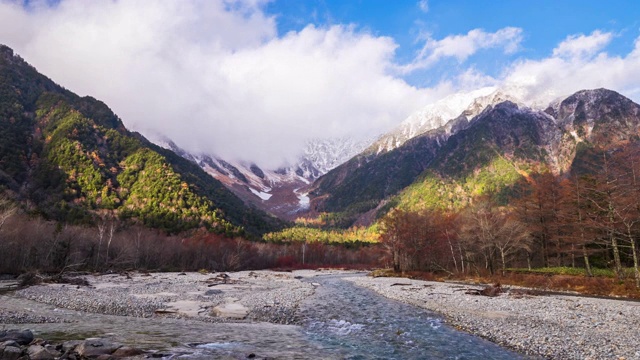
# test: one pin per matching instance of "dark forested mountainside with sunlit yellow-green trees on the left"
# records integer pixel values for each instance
(71, 159)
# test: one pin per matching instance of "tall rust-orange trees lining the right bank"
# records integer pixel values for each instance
(588, 218)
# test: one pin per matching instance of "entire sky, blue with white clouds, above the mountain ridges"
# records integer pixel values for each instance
(254, 80)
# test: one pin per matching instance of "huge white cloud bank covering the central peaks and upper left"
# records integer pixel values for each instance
(213, 75)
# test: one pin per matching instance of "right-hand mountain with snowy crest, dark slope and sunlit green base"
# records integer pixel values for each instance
(485, 150)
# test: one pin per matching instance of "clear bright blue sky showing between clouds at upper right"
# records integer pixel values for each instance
(544, 23)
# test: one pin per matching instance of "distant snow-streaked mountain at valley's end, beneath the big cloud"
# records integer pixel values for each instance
(281, 191)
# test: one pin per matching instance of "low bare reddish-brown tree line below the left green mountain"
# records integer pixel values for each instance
(34, 244)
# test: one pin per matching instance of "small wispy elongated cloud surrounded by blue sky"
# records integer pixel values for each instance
(463, 46)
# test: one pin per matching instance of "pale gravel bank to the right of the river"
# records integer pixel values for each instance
(553, 326)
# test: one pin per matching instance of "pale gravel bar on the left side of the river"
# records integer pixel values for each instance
(265, 295)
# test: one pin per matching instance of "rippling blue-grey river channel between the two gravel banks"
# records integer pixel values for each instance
(355, 323)
